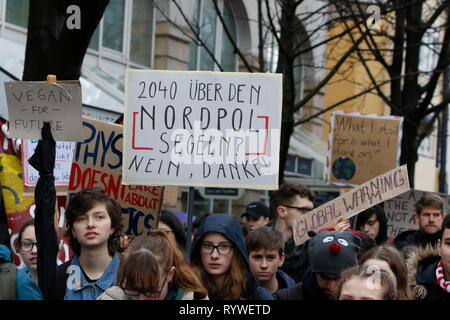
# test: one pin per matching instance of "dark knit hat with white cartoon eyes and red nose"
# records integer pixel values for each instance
(332, 251)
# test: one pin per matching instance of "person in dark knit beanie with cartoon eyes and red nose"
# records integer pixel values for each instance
(331, 252)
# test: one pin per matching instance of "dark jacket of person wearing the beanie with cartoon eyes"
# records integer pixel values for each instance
(306, 290)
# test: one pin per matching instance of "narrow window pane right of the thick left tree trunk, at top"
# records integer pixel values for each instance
(113, 20)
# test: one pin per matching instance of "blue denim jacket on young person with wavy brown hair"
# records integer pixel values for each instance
(78, 288)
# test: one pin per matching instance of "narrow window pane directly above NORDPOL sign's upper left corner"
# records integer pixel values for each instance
(141, 32)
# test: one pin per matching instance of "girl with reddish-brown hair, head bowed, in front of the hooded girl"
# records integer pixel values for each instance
(154, 269)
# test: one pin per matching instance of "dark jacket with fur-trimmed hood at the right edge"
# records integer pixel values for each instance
(421, 264)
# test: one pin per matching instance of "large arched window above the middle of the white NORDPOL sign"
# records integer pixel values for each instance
(212, 34)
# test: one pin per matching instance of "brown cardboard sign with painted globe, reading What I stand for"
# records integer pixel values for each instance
(361, 147)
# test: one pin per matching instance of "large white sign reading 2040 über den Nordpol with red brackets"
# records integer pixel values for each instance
(210, 129)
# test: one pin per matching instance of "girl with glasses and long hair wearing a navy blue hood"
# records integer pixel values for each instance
(220, 256)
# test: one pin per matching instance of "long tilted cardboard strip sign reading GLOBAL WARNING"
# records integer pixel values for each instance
(370, 193)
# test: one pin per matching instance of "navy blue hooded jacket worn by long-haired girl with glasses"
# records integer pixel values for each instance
(230, 227)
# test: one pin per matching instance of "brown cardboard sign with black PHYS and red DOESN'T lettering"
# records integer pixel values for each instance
(97, 162)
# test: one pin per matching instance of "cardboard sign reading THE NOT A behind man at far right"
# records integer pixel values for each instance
(400, 211)
